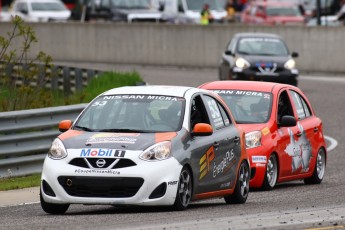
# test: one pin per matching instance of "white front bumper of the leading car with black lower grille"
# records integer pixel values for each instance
(142, 184)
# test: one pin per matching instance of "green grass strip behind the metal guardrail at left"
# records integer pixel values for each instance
(30, 98)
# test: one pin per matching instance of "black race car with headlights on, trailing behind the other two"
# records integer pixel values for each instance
(258, 57)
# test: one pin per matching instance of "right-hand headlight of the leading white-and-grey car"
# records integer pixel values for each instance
(157, 152)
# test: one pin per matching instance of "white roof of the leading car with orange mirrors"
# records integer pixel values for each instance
(175, 91)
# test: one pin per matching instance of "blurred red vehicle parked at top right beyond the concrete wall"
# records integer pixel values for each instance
(272, 13)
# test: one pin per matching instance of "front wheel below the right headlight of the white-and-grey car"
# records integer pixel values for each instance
(184, 190)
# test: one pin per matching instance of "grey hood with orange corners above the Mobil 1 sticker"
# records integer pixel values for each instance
(73, 139)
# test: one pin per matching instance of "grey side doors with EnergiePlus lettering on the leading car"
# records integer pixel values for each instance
(217, 155)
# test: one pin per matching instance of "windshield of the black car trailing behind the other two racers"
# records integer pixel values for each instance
(262, 46)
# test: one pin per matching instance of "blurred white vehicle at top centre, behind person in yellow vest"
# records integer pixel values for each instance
(188, 11)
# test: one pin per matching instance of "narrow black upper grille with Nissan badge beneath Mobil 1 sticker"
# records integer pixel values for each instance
(85, 162)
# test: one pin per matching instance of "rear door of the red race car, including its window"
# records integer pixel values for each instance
(308, 131)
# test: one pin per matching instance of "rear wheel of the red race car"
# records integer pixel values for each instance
(319, 170)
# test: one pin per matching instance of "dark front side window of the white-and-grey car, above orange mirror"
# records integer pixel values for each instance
(198, 112)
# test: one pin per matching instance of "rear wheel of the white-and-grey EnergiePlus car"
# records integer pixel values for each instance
(241, 191)
